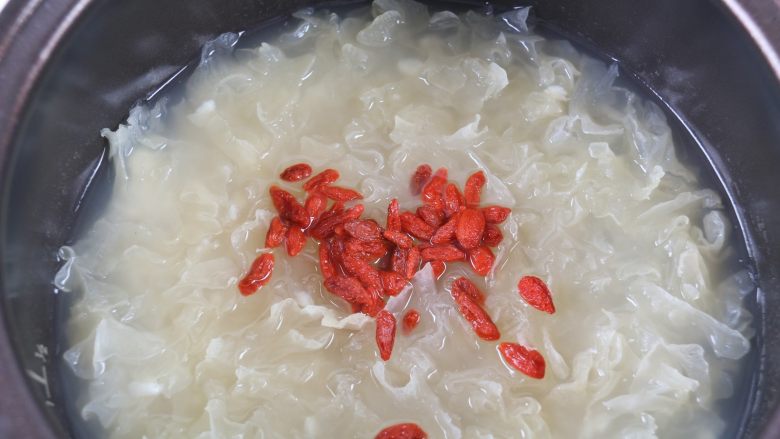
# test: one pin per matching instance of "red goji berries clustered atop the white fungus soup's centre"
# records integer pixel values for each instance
(363, 262)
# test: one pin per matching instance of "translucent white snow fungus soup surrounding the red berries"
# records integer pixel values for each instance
(649, 328)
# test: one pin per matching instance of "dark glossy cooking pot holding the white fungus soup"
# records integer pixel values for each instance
(71, 67)
